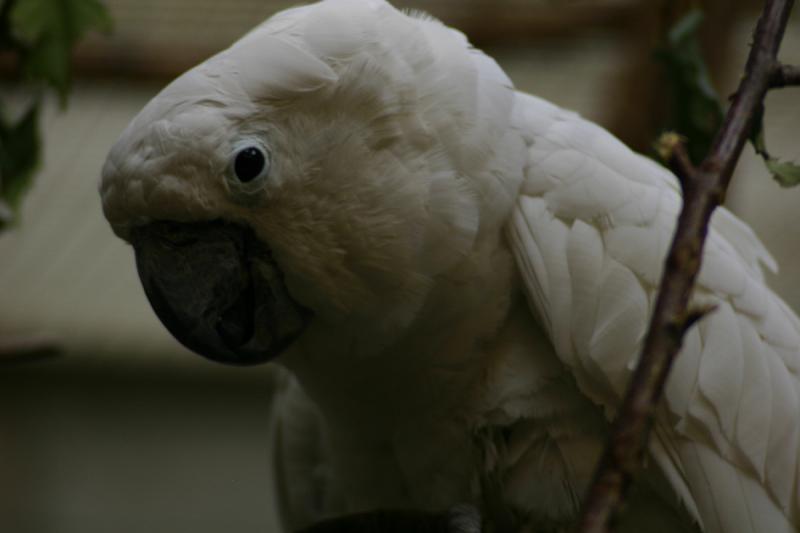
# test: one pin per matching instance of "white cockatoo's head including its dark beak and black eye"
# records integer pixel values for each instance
(329, 168)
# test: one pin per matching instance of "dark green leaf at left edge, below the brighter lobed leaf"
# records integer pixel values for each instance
(20, 148)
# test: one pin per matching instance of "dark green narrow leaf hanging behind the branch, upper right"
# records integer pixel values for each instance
(696, 108)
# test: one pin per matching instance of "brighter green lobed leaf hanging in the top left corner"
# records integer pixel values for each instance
(48, 29)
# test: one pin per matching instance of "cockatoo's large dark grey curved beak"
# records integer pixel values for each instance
(217, 289)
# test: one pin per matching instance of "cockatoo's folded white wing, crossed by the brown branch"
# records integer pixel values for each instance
(589, 232)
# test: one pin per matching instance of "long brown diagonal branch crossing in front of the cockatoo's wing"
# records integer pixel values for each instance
(704, 189)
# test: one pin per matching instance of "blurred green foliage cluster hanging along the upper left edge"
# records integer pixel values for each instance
(40, 36)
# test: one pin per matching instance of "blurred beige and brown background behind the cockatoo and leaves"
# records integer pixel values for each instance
(108, 424)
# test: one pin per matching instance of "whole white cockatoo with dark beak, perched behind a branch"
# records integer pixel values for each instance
(458, 277)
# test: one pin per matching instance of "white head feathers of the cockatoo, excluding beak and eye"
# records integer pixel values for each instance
(392, 156)
